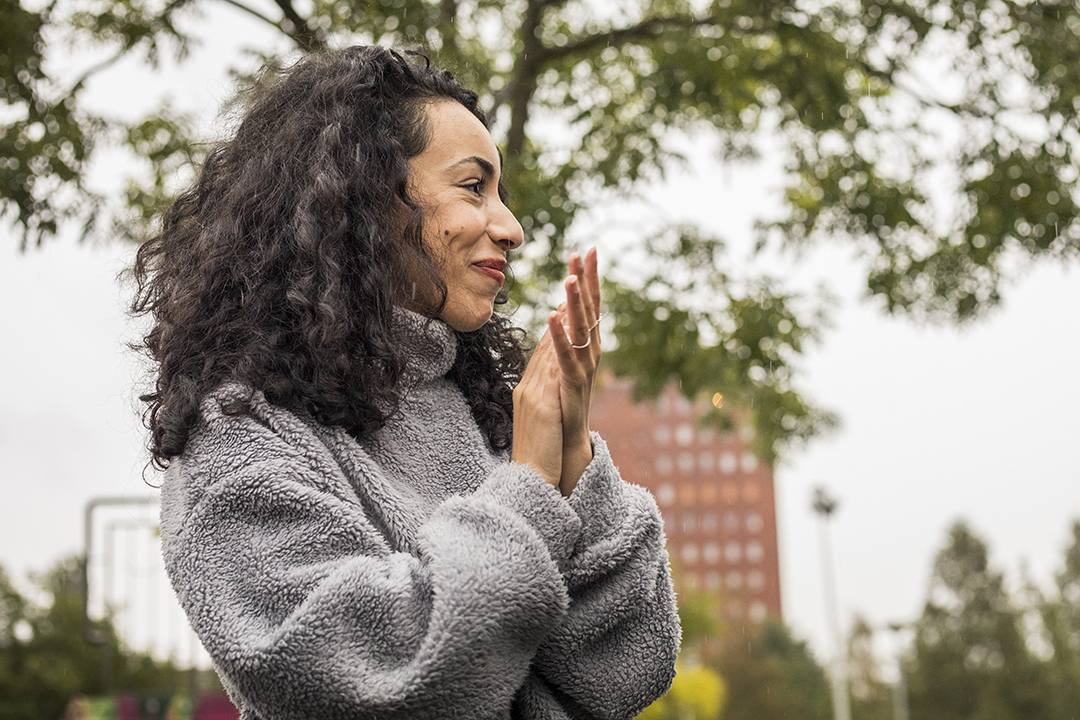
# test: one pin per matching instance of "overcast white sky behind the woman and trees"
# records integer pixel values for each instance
(939, 424)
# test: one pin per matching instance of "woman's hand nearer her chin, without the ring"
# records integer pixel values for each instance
(538, 422)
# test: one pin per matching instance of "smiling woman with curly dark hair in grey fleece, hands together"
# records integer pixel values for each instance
(373, 508)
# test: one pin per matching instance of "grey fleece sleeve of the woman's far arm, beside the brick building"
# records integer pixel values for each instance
(614, 653)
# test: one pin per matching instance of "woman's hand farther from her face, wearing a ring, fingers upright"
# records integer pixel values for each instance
(578, 350)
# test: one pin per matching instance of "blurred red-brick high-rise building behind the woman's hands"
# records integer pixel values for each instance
(715, 497)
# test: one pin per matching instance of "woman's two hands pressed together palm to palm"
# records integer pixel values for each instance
(551, 403)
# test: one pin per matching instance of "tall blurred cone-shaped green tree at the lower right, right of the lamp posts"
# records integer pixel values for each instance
(971, 658)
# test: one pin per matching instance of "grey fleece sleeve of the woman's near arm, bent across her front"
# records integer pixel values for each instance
(308, 614)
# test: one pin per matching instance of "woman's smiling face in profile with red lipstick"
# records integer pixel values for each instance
(468, 229)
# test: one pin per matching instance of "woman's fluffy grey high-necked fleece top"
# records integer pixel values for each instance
(416, 575)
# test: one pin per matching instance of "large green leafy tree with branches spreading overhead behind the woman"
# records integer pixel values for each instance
(838, 85)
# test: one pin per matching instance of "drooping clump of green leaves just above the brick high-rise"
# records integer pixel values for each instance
(687, 322)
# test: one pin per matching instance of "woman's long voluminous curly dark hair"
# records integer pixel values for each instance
(281, 266)
